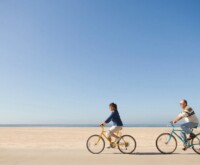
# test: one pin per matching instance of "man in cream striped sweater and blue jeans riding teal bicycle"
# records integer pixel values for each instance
(191, 121)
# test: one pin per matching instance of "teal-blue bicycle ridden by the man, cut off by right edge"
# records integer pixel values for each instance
(166, 143)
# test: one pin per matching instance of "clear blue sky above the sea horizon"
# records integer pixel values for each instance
(64, 61)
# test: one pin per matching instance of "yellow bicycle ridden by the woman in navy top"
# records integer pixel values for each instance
(96, 143)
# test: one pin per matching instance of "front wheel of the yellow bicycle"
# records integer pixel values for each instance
(95, 144)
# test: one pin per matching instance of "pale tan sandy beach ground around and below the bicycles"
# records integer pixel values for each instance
(62, 146)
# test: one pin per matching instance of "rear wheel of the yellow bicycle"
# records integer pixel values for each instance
(127, 144)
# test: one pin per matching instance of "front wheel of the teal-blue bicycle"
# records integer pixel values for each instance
(164, 145)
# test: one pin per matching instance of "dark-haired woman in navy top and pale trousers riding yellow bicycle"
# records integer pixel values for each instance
(117, 122)
